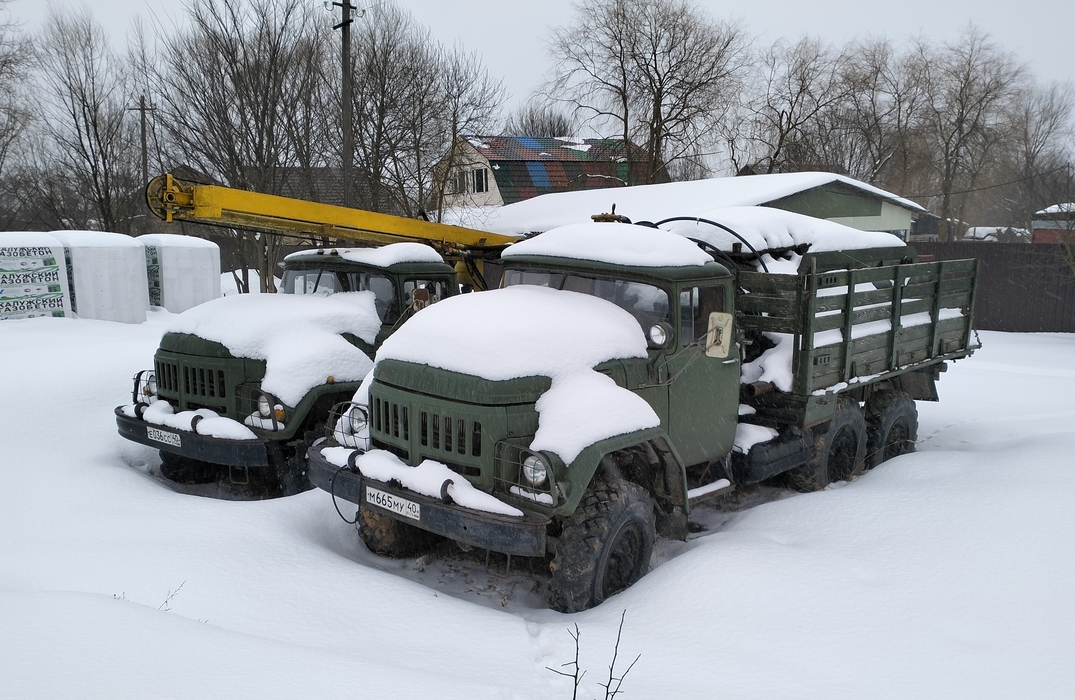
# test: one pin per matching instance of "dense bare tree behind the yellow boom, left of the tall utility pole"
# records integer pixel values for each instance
(238, 99)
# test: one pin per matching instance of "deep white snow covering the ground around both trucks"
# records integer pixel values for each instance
(948, 574)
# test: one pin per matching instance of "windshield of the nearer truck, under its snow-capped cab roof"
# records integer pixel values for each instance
(648, 304)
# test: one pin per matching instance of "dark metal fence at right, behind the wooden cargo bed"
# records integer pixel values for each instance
(1022, 289)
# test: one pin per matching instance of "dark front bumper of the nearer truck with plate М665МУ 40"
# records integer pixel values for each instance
(518, 536)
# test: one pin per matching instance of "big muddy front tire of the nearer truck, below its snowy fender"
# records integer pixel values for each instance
(605, 548)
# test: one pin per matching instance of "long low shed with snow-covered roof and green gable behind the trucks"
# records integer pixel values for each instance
(821, 195)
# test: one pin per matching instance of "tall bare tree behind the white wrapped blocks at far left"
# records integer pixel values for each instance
(91, 141)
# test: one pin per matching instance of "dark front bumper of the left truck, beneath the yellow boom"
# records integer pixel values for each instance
(217, 451)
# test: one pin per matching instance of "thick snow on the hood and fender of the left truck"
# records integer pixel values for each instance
(298, 337)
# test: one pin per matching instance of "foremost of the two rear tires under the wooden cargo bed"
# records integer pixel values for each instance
(839, 451)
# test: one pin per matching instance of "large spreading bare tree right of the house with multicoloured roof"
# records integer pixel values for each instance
(661, 73)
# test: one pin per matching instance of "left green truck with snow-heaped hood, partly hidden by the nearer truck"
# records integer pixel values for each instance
(240, 384)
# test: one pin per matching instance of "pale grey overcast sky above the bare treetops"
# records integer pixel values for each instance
(512, 36)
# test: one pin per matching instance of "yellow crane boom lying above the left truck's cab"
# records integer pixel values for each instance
(174, 199)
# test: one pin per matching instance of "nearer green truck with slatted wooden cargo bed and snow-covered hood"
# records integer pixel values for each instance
(626, 375)
